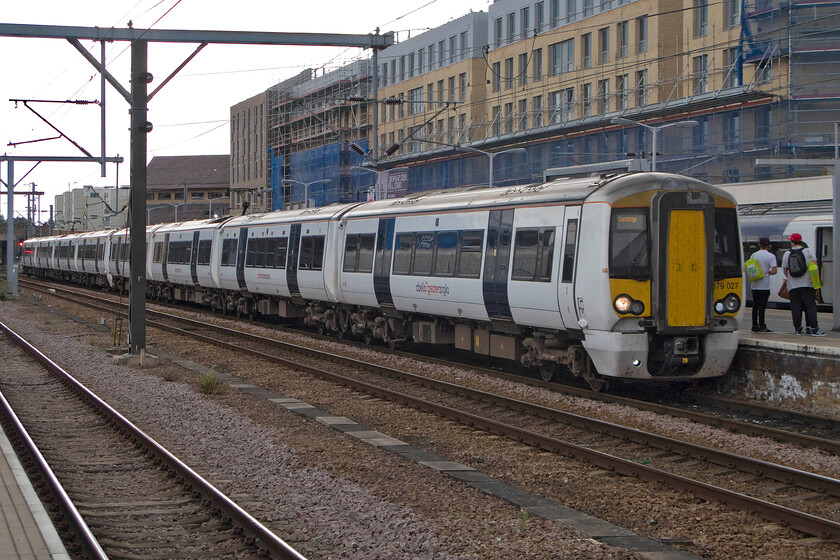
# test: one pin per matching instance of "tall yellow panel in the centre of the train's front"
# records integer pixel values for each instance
(686, 269)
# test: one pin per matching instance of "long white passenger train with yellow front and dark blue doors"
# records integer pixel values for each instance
(622, 277)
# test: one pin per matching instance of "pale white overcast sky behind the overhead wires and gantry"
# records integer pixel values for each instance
(190, 114)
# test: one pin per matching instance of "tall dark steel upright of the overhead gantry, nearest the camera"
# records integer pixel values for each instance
(137, 232)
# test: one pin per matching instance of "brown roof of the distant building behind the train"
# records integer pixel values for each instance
(196, 172)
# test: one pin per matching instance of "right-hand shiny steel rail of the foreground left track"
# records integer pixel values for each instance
(267, 539)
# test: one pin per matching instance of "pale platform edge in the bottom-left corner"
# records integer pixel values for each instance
(26, 531)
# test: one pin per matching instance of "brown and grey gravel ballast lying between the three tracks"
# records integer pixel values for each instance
(371, 504)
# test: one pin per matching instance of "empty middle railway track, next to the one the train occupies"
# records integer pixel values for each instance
(798, 499)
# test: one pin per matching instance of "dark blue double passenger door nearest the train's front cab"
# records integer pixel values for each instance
(495, 284)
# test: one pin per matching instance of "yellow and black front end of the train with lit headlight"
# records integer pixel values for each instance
(675, 286)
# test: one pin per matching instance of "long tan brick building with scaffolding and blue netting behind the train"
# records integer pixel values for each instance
(714, 85)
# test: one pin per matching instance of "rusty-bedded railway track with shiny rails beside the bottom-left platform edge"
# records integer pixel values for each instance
(120, 493)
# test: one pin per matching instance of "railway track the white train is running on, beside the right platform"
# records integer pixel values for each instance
(773, 423)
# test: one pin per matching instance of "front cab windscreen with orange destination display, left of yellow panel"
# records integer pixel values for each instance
(629, 244)
